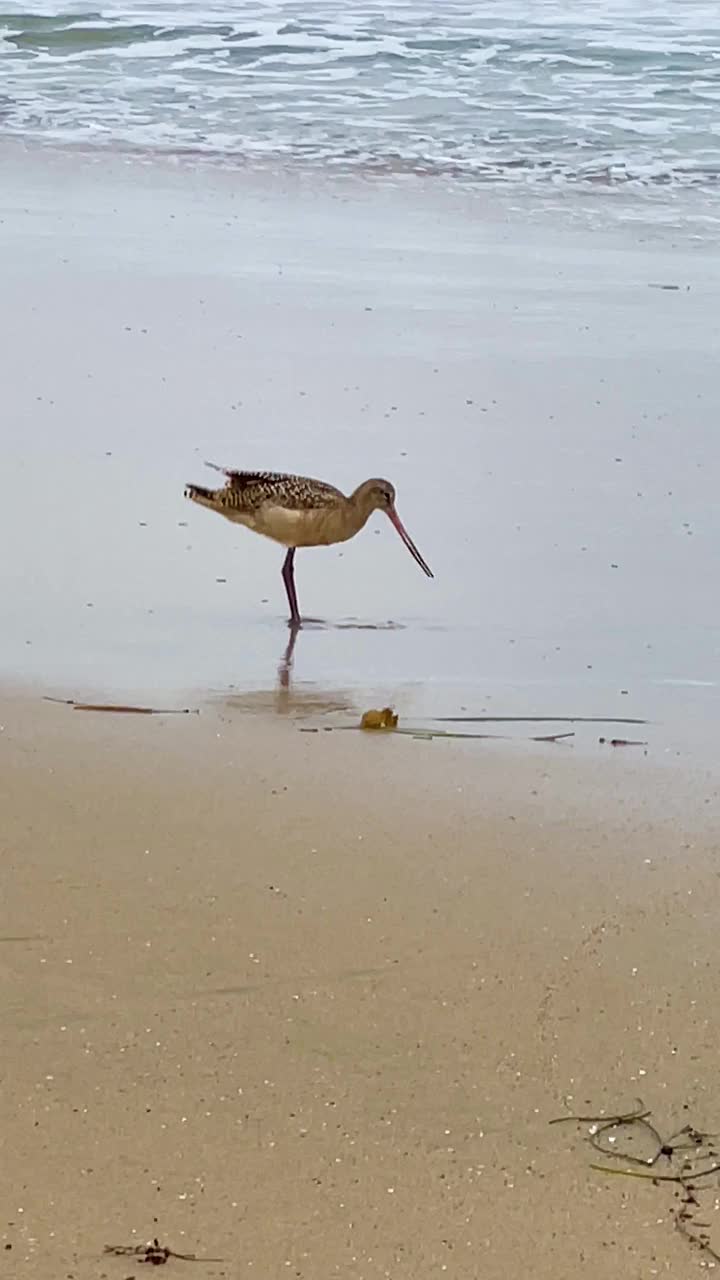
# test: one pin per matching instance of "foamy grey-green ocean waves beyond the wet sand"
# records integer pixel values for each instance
(603, 93)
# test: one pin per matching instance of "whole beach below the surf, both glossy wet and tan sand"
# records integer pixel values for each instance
(279, 993)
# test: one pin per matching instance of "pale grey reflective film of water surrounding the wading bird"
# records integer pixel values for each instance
(546, 412)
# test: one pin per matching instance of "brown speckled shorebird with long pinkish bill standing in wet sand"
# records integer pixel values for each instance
(300, 513)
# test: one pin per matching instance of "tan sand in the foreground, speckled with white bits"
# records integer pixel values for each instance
(307, 1002)
